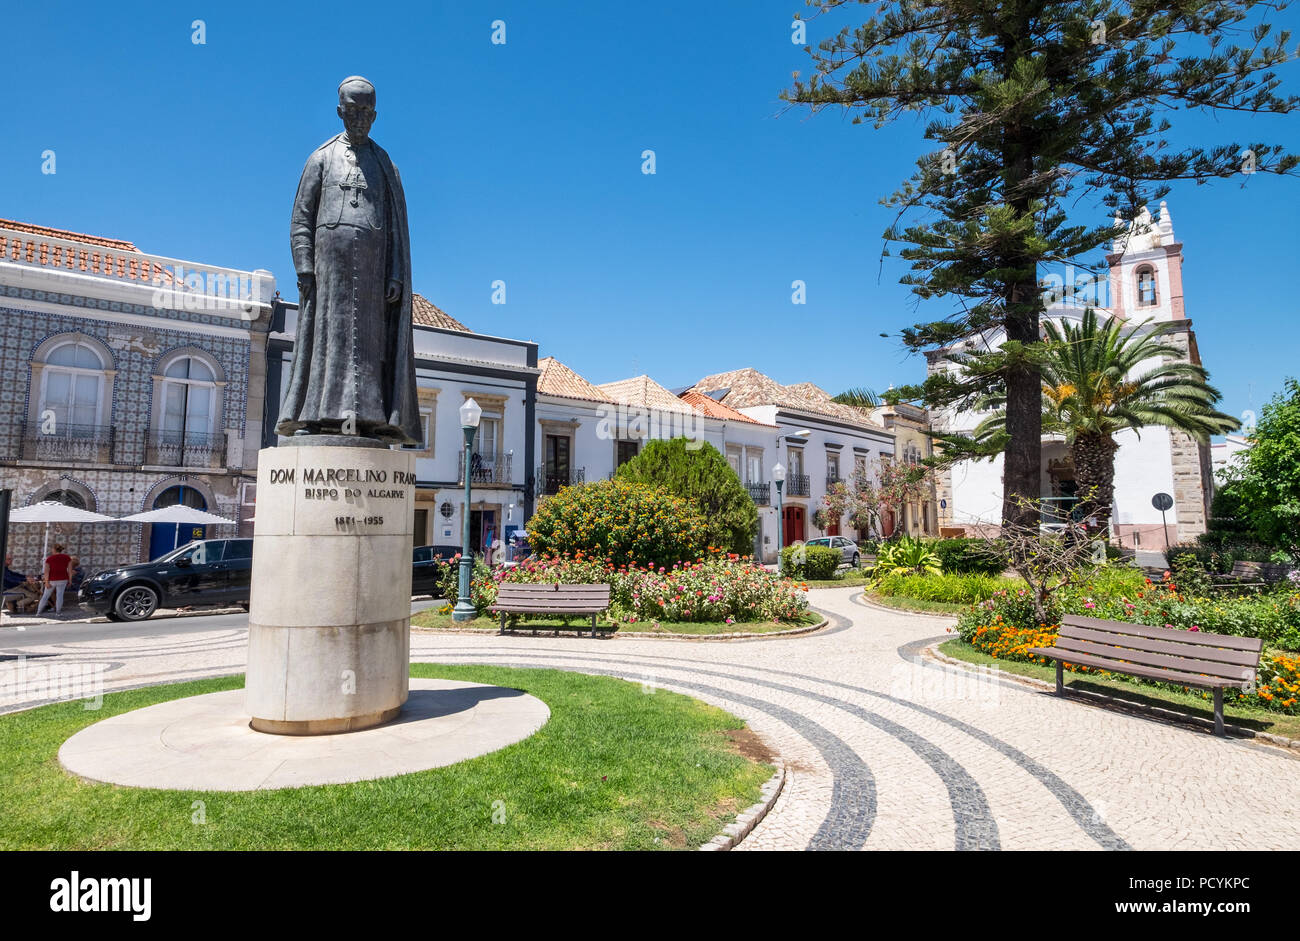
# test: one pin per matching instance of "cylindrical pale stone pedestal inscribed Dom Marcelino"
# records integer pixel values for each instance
(330, 622)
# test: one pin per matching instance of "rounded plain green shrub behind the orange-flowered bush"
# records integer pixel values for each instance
(699, 474)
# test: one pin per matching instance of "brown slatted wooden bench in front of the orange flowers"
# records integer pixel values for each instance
(1189, 658)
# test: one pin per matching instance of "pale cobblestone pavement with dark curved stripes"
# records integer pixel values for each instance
(885, 749)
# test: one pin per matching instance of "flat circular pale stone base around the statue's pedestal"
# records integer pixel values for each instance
(205, 743)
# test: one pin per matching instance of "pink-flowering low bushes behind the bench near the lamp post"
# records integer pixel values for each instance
(722, 588)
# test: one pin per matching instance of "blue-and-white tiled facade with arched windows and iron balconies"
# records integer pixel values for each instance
(120, 406)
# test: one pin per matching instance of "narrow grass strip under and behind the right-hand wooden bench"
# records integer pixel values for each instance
(1194, 703)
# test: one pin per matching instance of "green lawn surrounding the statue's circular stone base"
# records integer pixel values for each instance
(616, 767)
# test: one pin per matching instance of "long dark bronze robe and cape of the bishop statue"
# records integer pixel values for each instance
(354, 363)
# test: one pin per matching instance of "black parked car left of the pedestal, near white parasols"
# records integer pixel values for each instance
(203, 573)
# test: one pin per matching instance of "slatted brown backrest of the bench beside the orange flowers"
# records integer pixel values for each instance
(1189, 652)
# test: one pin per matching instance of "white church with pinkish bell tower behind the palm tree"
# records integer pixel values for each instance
(1146, 284)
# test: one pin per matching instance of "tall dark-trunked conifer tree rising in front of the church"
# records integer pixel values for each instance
(1034, 105)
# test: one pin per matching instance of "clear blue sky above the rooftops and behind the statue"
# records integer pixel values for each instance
(522, 163)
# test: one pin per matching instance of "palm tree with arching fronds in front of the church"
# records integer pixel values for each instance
(1094, 387)
